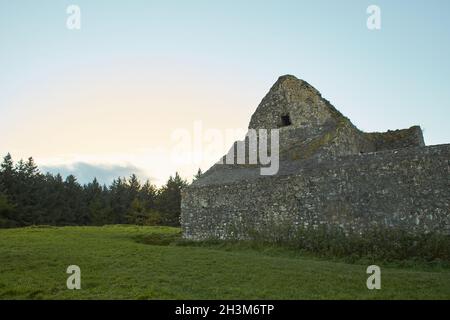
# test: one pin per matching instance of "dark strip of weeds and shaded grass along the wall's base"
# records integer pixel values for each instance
(354, 253)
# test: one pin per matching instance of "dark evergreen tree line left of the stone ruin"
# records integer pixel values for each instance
(29, 197)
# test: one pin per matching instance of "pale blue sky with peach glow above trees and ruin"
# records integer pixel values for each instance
(115, 96)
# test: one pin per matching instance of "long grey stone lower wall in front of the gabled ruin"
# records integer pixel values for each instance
(407, 188)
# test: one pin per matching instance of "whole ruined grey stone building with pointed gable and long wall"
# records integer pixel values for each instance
(330, 173)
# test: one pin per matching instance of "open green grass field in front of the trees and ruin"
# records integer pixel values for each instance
(130, 262)
